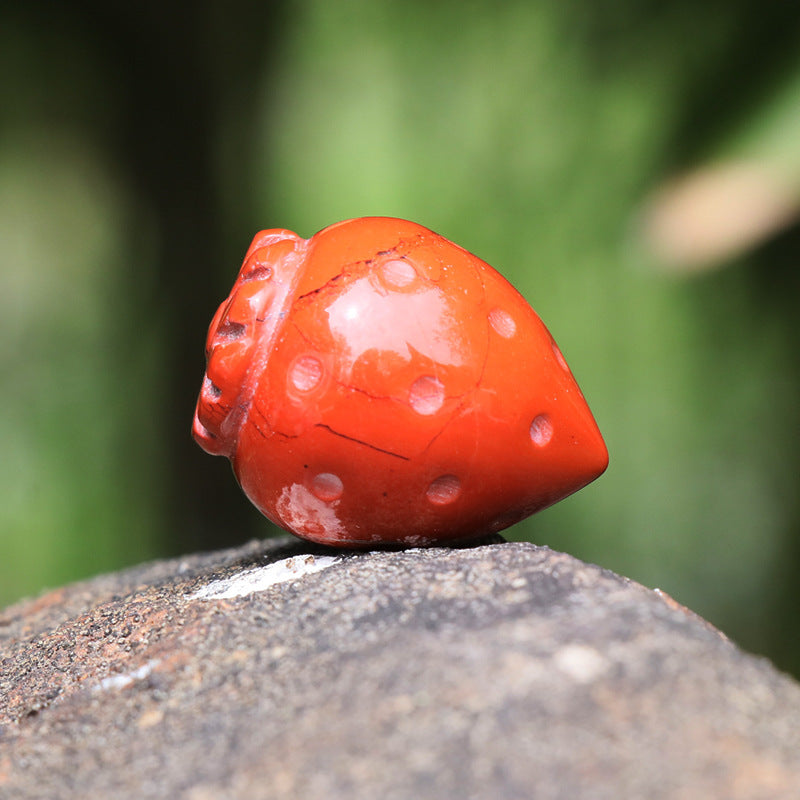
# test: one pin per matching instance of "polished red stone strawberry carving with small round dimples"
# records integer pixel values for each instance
(379, 384)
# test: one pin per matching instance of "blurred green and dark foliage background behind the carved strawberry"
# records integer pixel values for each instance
(633, 167)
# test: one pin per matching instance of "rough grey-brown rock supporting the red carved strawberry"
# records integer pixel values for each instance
(499, 671)
